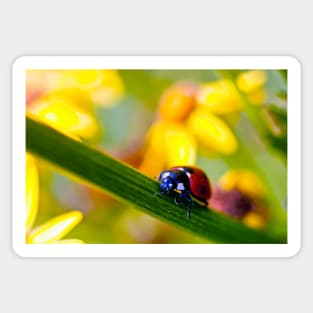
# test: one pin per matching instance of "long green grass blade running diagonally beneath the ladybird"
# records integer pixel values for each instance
(130, 186)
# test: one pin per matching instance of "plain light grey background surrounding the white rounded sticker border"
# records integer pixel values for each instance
(164, 28)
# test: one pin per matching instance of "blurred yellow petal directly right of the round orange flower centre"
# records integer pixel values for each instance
(219, 97)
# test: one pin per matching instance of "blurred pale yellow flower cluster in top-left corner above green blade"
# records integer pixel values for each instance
(65, 99)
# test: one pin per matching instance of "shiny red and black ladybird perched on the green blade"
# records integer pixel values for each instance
(191, 183)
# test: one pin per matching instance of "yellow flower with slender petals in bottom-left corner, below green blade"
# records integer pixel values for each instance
(56, 228)
